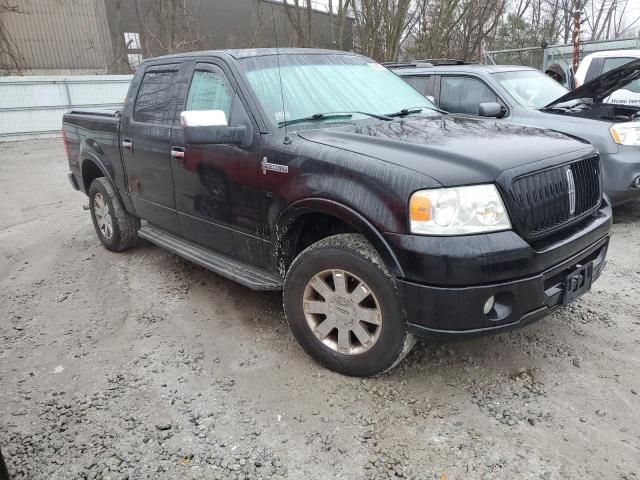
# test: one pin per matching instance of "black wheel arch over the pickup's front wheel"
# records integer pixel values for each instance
(291, 222)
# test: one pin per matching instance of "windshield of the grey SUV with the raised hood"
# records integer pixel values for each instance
(531, 88)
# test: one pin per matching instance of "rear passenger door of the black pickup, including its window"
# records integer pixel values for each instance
(146, 139)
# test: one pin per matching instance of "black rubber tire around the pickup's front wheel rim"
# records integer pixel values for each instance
(353, 254)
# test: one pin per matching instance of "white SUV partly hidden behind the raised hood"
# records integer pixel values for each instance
(599, 63)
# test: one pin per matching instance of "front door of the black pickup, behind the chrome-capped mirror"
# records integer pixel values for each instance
(218, 199)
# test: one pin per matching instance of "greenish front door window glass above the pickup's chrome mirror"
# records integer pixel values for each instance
(209, 90)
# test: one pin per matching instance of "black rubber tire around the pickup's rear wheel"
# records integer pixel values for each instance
(124, 231)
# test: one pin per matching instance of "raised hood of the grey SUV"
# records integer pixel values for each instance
(601, 87)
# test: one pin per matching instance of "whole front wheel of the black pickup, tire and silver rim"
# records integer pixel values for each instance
(343, 307)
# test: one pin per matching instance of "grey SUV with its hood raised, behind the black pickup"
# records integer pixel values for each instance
(526, 96)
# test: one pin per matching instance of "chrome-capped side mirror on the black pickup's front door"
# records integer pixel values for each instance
(210, 127)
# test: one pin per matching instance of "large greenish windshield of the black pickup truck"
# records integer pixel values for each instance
(314, 84)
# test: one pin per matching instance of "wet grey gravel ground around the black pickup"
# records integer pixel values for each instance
(141, 365)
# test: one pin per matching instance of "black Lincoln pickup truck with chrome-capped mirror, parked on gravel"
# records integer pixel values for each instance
(324, 175)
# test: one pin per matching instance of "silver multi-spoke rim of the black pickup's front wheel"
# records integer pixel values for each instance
(342, 312)
